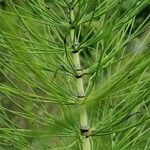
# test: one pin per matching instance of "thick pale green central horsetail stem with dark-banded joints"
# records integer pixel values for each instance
(86, 145)
